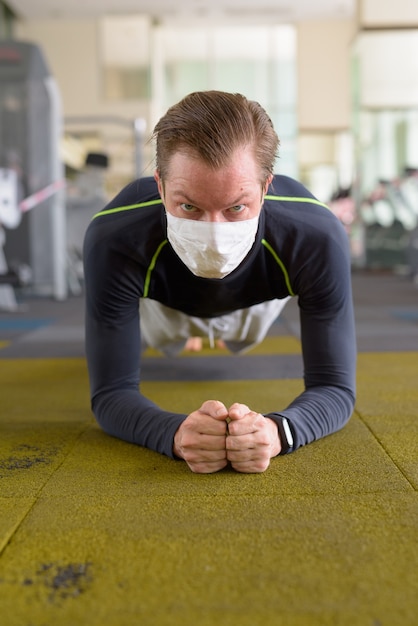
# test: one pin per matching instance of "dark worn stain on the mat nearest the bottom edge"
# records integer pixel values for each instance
(62, 581)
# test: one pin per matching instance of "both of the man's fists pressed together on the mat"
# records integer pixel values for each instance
(213, 435)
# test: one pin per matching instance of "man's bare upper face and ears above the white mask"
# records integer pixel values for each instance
(195, 191)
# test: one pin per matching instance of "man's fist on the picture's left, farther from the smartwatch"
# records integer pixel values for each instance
(200, 439)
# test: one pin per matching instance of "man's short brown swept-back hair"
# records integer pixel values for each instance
(213, 124)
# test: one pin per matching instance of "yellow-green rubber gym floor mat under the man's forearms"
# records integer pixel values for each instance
(100, 532)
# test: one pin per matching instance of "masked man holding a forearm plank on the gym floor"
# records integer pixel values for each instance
(216, 244)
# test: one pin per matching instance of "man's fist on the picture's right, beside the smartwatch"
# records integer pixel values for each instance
(252, 441)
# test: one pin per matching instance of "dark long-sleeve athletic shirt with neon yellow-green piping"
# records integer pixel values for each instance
(301, 250)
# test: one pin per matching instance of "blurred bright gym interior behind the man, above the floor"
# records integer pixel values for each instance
(82, 84)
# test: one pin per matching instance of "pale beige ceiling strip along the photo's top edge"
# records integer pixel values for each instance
(285, 11)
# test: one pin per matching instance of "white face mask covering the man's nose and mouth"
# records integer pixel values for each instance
(211, 249)
